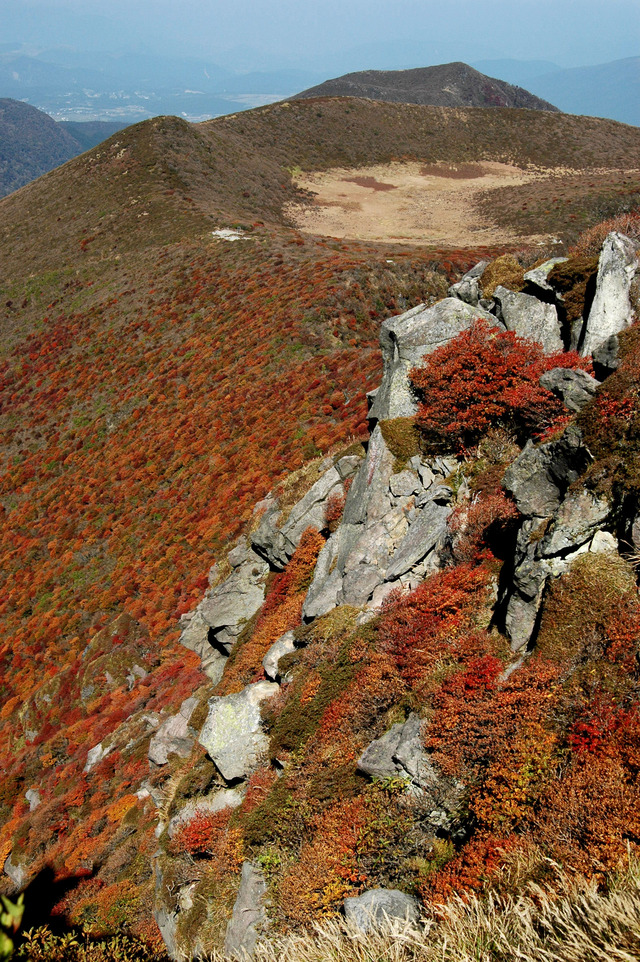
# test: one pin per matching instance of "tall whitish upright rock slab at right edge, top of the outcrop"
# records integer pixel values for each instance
(611, 310)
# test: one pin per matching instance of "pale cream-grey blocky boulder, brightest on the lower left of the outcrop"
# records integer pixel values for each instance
(232, 733)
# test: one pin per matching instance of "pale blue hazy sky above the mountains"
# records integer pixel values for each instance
(321, 33)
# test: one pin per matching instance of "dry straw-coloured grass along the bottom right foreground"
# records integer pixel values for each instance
(580, 925)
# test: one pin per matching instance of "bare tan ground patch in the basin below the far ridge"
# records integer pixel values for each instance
(415, 203)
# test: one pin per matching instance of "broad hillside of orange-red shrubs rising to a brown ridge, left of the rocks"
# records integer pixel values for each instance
(139, 363)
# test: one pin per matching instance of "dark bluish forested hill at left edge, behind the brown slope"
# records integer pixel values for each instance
(32, 143)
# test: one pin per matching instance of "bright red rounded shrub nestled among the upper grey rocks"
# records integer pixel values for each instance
(483, 378)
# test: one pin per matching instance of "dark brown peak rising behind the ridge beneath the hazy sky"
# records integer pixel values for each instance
(446, 85)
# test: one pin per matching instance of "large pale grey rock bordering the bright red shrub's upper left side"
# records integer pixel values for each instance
(406, 339)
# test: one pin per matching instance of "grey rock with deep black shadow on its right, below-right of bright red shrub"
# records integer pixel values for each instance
(539, 476)
